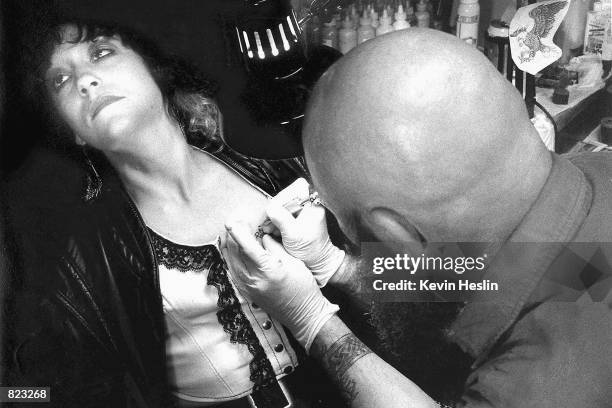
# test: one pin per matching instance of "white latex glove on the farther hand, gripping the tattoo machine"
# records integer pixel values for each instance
(306, 238)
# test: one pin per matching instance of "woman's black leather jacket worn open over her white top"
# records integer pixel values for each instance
(85, 312)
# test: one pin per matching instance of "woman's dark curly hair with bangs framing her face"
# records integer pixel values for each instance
(188, 94)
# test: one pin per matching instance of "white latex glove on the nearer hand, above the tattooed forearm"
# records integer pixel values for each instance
(279, 283)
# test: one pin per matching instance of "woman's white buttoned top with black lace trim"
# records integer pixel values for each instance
(208, 346)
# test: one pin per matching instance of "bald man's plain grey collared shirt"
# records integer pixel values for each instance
(545, 338)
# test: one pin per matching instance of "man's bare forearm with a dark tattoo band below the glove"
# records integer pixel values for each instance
(364, 379)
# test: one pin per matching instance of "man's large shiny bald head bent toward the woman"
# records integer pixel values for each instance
(416, 133)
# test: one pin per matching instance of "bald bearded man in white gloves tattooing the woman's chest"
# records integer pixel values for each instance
(414, 137)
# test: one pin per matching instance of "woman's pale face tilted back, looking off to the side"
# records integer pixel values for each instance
(104, 91)
